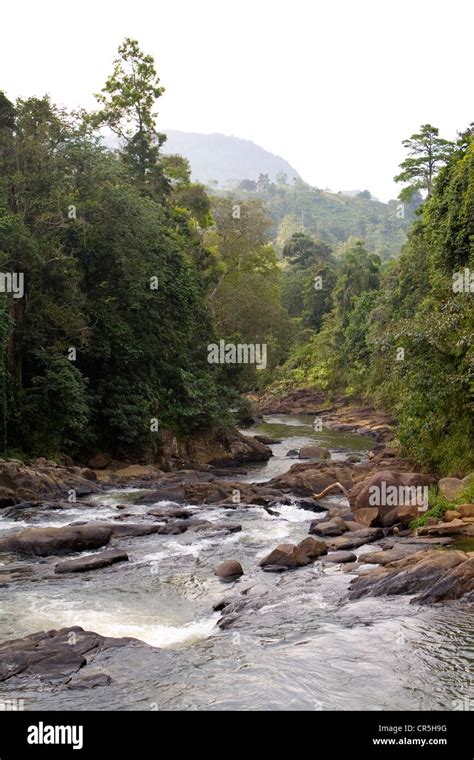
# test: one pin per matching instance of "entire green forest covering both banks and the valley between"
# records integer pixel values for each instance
(126, 272)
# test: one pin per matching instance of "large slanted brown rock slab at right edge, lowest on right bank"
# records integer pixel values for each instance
(410, 575)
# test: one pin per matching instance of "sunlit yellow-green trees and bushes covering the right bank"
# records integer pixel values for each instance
(400, 335)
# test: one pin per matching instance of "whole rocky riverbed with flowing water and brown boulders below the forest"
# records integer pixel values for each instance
(116, 592)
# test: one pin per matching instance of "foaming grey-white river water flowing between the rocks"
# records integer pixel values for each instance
(308, 648)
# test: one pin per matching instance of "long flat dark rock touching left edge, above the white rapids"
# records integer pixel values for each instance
(42, 542)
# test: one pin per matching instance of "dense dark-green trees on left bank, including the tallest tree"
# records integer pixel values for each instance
(141, 351)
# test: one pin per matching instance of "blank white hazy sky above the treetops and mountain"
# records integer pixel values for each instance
(331, 86)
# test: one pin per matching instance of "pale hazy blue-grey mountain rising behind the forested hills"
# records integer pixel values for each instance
(225, 159)
